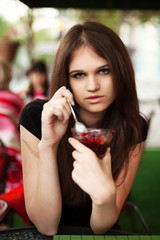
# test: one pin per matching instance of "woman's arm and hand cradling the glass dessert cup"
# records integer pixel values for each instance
(94, 176)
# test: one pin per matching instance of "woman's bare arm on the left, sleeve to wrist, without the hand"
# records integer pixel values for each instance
(41, 183)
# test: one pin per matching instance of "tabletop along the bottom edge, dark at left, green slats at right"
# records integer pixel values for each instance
(31, 233)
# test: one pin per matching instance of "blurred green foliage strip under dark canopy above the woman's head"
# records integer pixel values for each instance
(114, 18)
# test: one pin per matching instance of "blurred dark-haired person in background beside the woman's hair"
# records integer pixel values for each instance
(38, 82)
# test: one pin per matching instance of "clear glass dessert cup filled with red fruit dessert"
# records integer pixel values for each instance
(96, 139)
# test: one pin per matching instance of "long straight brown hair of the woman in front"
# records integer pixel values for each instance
(122, 115)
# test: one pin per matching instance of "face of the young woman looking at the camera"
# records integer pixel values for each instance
(91, 81)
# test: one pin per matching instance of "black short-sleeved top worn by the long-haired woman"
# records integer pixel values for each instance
(31, 119)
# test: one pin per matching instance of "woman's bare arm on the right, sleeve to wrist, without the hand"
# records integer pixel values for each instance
(110, 212)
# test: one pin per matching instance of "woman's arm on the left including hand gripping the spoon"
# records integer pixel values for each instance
(39, 159)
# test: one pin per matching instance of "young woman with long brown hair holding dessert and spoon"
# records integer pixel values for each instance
(65, 183)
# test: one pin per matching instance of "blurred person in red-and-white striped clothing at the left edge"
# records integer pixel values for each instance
(10, 108)
